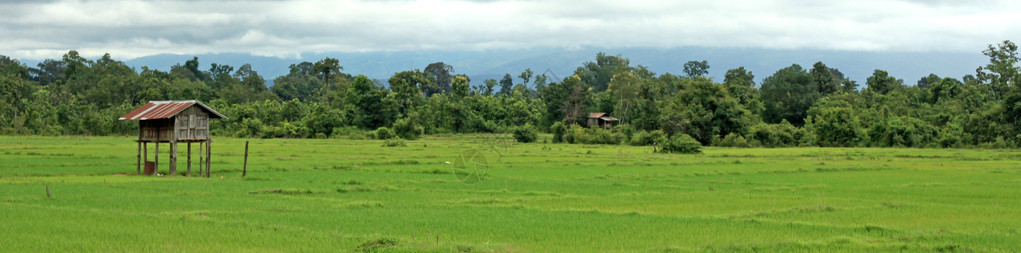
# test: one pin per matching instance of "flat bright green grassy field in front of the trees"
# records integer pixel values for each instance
(342, 195)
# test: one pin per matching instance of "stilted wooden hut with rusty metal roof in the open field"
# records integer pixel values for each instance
(173, 122)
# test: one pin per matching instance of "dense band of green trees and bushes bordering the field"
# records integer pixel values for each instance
(795, 107)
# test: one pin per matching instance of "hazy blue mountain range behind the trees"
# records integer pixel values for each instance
(480, 66)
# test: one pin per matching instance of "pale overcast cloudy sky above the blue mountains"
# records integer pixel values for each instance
(34, 30)
